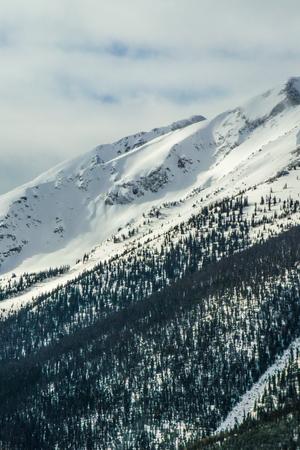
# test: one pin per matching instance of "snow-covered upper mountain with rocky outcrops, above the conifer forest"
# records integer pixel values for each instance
(81, 203)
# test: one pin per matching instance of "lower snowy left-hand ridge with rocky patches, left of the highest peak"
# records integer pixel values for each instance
(72, 204)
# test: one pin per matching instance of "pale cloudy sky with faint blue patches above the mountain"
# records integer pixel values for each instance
(76, 73)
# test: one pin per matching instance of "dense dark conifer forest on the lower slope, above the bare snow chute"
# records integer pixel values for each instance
(151, 350)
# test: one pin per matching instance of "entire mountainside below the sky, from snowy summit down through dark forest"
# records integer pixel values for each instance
(149, 289)
